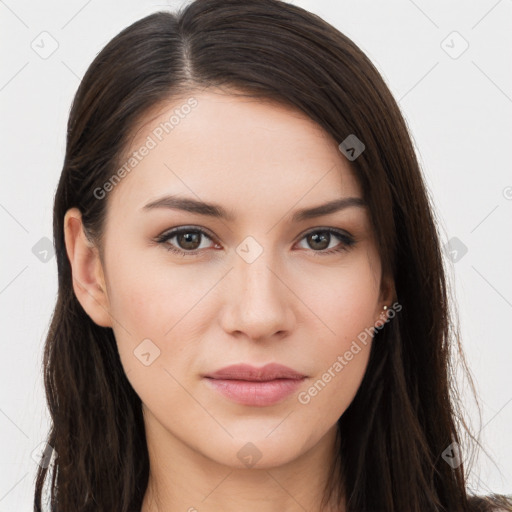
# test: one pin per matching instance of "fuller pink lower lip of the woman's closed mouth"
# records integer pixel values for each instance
(256, 393)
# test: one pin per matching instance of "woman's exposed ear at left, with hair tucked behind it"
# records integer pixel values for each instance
(86, 269)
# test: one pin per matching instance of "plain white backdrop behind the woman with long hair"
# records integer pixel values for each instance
(448, 65)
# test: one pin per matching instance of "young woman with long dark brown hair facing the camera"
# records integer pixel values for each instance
(252, 309)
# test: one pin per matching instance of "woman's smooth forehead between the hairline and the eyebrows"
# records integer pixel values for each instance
(227, 148)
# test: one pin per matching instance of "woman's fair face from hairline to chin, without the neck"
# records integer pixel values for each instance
(262, 276)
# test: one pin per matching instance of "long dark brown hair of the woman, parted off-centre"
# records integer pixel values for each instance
(406, 411)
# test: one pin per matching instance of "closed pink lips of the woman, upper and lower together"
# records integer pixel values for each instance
(248, 385)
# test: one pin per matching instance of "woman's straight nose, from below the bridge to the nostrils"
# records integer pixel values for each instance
(259, 303)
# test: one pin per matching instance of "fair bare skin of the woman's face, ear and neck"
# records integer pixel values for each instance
(261, 161)
